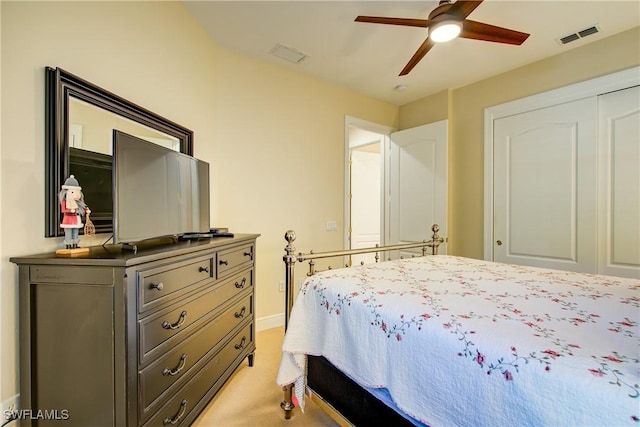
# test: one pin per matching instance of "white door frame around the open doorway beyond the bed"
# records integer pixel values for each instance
(350, 121)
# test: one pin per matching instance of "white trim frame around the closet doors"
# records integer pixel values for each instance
(593, 87)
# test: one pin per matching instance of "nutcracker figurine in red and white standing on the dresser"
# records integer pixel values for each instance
(73, 209)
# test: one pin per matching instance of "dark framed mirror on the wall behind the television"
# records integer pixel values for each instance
(79, 118)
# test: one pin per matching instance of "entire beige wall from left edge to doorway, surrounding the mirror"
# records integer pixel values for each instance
(258, 125)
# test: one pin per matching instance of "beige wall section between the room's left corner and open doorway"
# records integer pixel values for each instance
(281, 138)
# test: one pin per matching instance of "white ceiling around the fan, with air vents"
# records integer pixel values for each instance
(367, 58)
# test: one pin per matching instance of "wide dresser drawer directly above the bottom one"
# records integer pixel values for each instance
(170, 368)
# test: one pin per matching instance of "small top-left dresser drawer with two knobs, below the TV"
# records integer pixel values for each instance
(163, 283)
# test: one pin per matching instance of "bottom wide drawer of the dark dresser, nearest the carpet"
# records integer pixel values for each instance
(210, 378)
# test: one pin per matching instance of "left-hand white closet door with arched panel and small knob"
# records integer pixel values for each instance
(544, 187)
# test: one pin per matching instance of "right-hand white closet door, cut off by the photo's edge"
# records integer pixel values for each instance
(619, 189)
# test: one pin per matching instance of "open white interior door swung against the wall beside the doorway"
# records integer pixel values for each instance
(416, 185)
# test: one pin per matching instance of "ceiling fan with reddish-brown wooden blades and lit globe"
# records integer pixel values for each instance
(446, 22)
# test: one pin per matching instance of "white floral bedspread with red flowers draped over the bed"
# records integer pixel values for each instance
(459, 341)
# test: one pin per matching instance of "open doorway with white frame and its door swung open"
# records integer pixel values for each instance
(395, 184)
